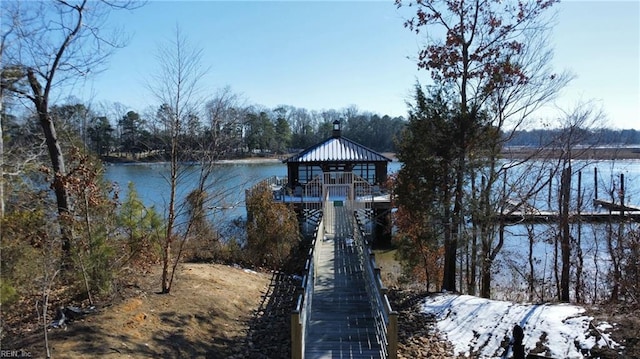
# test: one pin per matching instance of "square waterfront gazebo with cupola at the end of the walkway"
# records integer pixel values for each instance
(339, 172)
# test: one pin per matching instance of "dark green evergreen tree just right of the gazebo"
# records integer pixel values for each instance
(423, 187)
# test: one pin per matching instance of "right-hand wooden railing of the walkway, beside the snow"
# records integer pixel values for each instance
(385, 317)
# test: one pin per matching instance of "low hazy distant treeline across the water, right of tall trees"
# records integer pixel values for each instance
(602, 137)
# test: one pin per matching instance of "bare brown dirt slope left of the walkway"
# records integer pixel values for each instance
(206, 316)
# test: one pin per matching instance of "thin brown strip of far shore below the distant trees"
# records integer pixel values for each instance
(518, 152)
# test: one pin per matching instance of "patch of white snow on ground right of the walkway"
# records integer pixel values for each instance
(482, 328)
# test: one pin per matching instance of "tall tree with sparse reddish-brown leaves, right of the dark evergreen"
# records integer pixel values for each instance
(493, 53)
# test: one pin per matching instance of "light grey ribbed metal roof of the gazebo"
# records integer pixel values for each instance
(337, 149)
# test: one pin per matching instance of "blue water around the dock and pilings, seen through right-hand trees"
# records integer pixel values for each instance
(511, 267)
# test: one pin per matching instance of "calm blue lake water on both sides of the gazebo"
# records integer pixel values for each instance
(231, 180)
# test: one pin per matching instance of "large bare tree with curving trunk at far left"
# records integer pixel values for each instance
(47, 45)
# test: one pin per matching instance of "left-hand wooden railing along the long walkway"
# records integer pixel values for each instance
(301, 313)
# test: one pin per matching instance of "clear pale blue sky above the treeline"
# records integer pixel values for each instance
(333, 54)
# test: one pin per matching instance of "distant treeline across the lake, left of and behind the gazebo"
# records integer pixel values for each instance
(224, 127)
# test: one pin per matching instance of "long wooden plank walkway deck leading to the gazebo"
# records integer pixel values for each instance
(341, 324)
